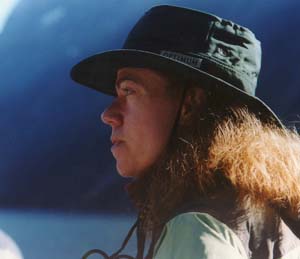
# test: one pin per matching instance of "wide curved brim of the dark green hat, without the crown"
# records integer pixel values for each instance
(99, 72)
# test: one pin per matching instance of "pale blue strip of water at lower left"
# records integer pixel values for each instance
(50, 235)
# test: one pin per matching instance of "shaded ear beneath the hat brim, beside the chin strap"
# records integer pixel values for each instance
(194, 102)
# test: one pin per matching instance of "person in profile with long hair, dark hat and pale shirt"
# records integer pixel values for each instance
(216, 174)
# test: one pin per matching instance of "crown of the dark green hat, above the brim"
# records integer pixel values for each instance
(206, 42)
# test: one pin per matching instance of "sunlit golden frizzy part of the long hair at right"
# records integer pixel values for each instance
(261, 161)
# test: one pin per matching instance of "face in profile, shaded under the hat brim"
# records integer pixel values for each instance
(141, 118)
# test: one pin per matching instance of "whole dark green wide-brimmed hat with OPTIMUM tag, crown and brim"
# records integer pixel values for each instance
(218, 54)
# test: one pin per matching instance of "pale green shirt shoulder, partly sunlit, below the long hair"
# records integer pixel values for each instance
(198, 235)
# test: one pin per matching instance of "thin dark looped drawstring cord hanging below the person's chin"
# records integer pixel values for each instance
(116, 254)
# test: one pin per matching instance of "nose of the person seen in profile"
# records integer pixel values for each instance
(112, 115)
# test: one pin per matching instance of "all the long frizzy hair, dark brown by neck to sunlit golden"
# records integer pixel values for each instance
(225, 146)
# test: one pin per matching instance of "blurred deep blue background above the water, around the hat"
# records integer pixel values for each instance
(54, 151)
